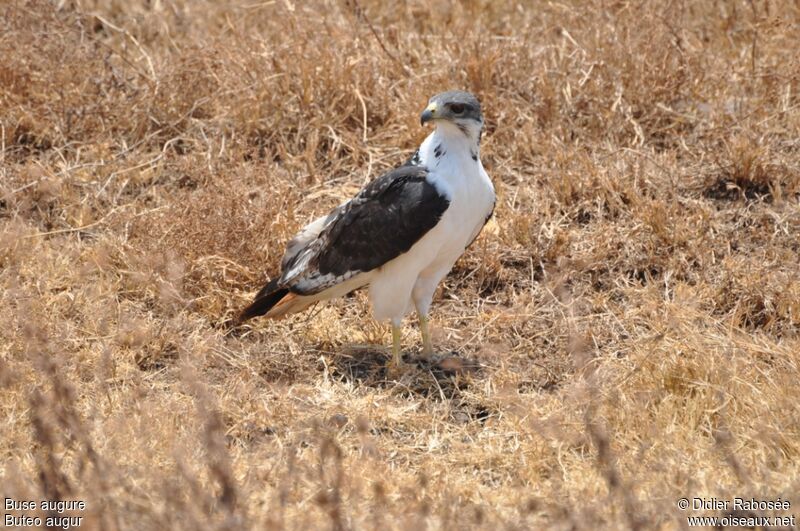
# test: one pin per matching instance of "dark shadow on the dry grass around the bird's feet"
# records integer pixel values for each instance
(440, 377)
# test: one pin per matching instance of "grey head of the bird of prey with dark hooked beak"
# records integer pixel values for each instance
(455, 109)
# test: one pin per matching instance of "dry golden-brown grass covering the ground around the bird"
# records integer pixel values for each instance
(628, 332)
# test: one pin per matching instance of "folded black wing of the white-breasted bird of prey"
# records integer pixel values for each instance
(379, 224)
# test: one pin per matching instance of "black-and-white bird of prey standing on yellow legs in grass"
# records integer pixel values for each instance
(400, 235)
